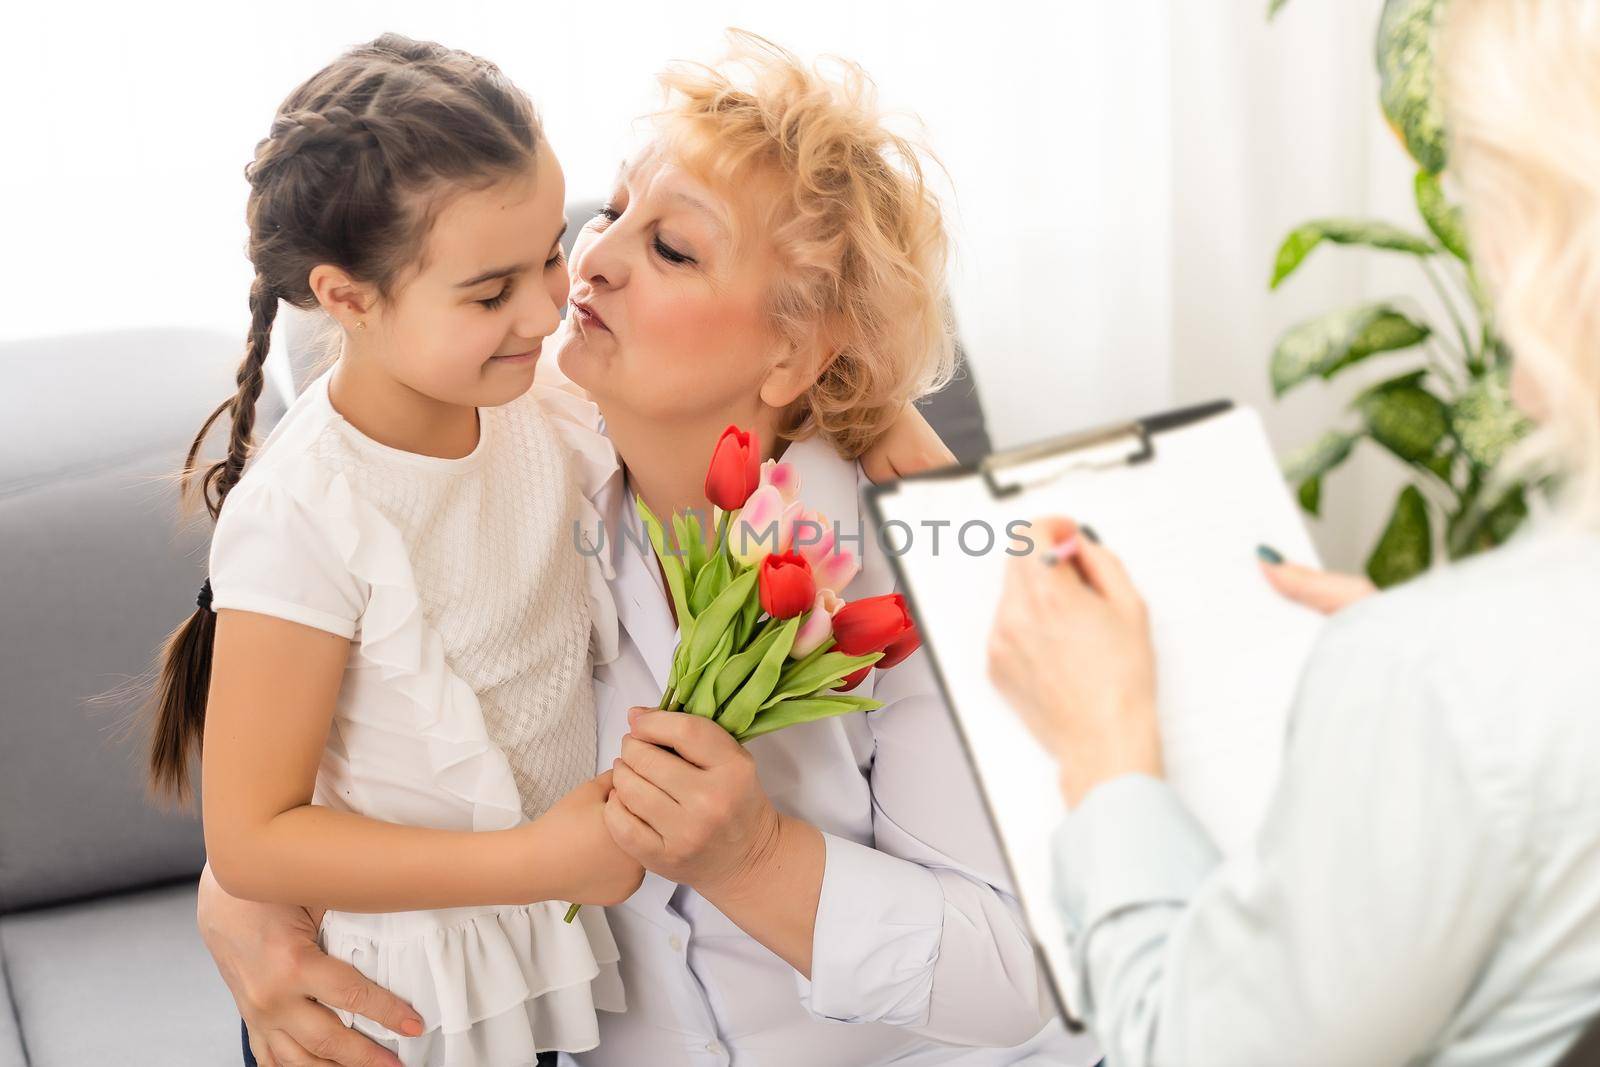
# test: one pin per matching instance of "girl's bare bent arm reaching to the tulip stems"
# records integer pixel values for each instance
(274, 685)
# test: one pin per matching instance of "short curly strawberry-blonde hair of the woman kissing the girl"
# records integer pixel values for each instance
(846, 206)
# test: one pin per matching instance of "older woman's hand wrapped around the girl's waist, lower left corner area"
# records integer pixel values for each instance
(268, 956)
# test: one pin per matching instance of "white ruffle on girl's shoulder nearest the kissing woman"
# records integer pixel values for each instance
(577, 423)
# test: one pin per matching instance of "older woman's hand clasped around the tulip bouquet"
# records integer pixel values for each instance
(689, 804)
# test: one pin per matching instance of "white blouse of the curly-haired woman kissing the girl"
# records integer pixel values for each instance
(921, 956)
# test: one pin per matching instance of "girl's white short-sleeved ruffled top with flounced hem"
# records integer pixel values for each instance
(334, 530)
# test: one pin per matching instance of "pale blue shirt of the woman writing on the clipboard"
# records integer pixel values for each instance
(1426, 889)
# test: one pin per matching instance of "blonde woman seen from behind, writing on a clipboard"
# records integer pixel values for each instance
(1428, 885)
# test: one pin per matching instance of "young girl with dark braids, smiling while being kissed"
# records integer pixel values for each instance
(391, 661)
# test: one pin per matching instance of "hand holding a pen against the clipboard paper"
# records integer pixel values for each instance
(1071, 652)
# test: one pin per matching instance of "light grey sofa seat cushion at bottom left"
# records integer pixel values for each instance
(124, 980)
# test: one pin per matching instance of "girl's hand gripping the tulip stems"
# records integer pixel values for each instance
(574, 834)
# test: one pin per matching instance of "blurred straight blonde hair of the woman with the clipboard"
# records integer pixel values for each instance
(1522, 97)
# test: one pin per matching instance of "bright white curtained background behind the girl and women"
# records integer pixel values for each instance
(1121, 172)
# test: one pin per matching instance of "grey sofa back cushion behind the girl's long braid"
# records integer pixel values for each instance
(95, 573)
